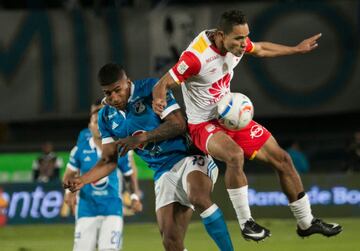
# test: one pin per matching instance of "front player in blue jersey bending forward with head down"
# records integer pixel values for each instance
(183, 182)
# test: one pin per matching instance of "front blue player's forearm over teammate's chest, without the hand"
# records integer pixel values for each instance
(103, 168)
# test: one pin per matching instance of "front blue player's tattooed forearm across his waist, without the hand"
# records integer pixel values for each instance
(167, 130)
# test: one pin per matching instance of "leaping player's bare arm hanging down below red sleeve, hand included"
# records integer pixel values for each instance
(159, 92)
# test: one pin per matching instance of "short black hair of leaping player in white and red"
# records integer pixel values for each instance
(229, 19)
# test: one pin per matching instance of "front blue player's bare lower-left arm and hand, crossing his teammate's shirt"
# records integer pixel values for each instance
(103, 167)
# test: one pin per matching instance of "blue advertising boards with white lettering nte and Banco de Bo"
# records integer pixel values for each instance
(331, 195)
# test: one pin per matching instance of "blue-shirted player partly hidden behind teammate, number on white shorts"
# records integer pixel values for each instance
(99, 221)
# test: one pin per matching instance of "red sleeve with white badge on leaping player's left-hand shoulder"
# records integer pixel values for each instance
(188, 65)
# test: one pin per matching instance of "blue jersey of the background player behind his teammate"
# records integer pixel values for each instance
(101, 197)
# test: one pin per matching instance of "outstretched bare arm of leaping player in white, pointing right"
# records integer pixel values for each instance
(268, 49)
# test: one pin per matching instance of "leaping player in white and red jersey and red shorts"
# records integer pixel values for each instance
(205, 68)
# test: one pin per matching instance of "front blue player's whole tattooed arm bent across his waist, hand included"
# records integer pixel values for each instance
(174, 125)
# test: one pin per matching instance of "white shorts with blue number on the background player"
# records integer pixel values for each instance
(104, 232)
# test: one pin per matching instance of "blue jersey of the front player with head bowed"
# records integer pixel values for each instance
(139, 117)
